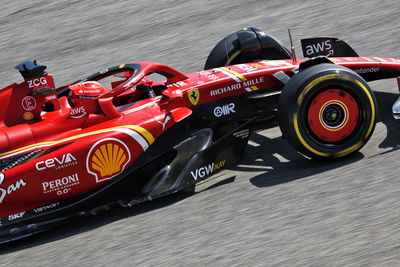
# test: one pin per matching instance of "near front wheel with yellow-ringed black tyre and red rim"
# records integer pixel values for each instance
(327, 111)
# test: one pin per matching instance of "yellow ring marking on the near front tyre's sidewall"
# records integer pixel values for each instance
(308, 88)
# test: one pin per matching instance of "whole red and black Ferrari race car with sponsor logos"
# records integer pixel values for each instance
(121, 137)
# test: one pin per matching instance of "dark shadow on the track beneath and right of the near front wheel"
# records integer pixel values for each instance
(283, 164)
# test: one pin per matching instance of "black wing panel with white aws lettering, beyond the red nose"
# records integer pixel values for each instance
(326, 46)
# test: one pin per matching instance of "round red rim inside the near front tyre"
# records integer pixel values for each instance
(333, 115)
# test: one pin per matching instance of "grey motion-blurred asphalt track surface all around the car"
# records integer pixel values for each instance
(277, 208)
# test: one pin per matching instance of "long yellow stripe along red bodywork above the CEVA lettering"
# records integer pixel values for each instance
(146, 134)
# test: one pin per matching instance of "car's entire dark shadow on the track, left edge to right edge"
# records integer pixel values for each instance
(278, 161)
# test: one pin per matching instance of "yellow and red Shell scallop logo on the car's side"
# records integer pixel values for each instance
(107, 158)
